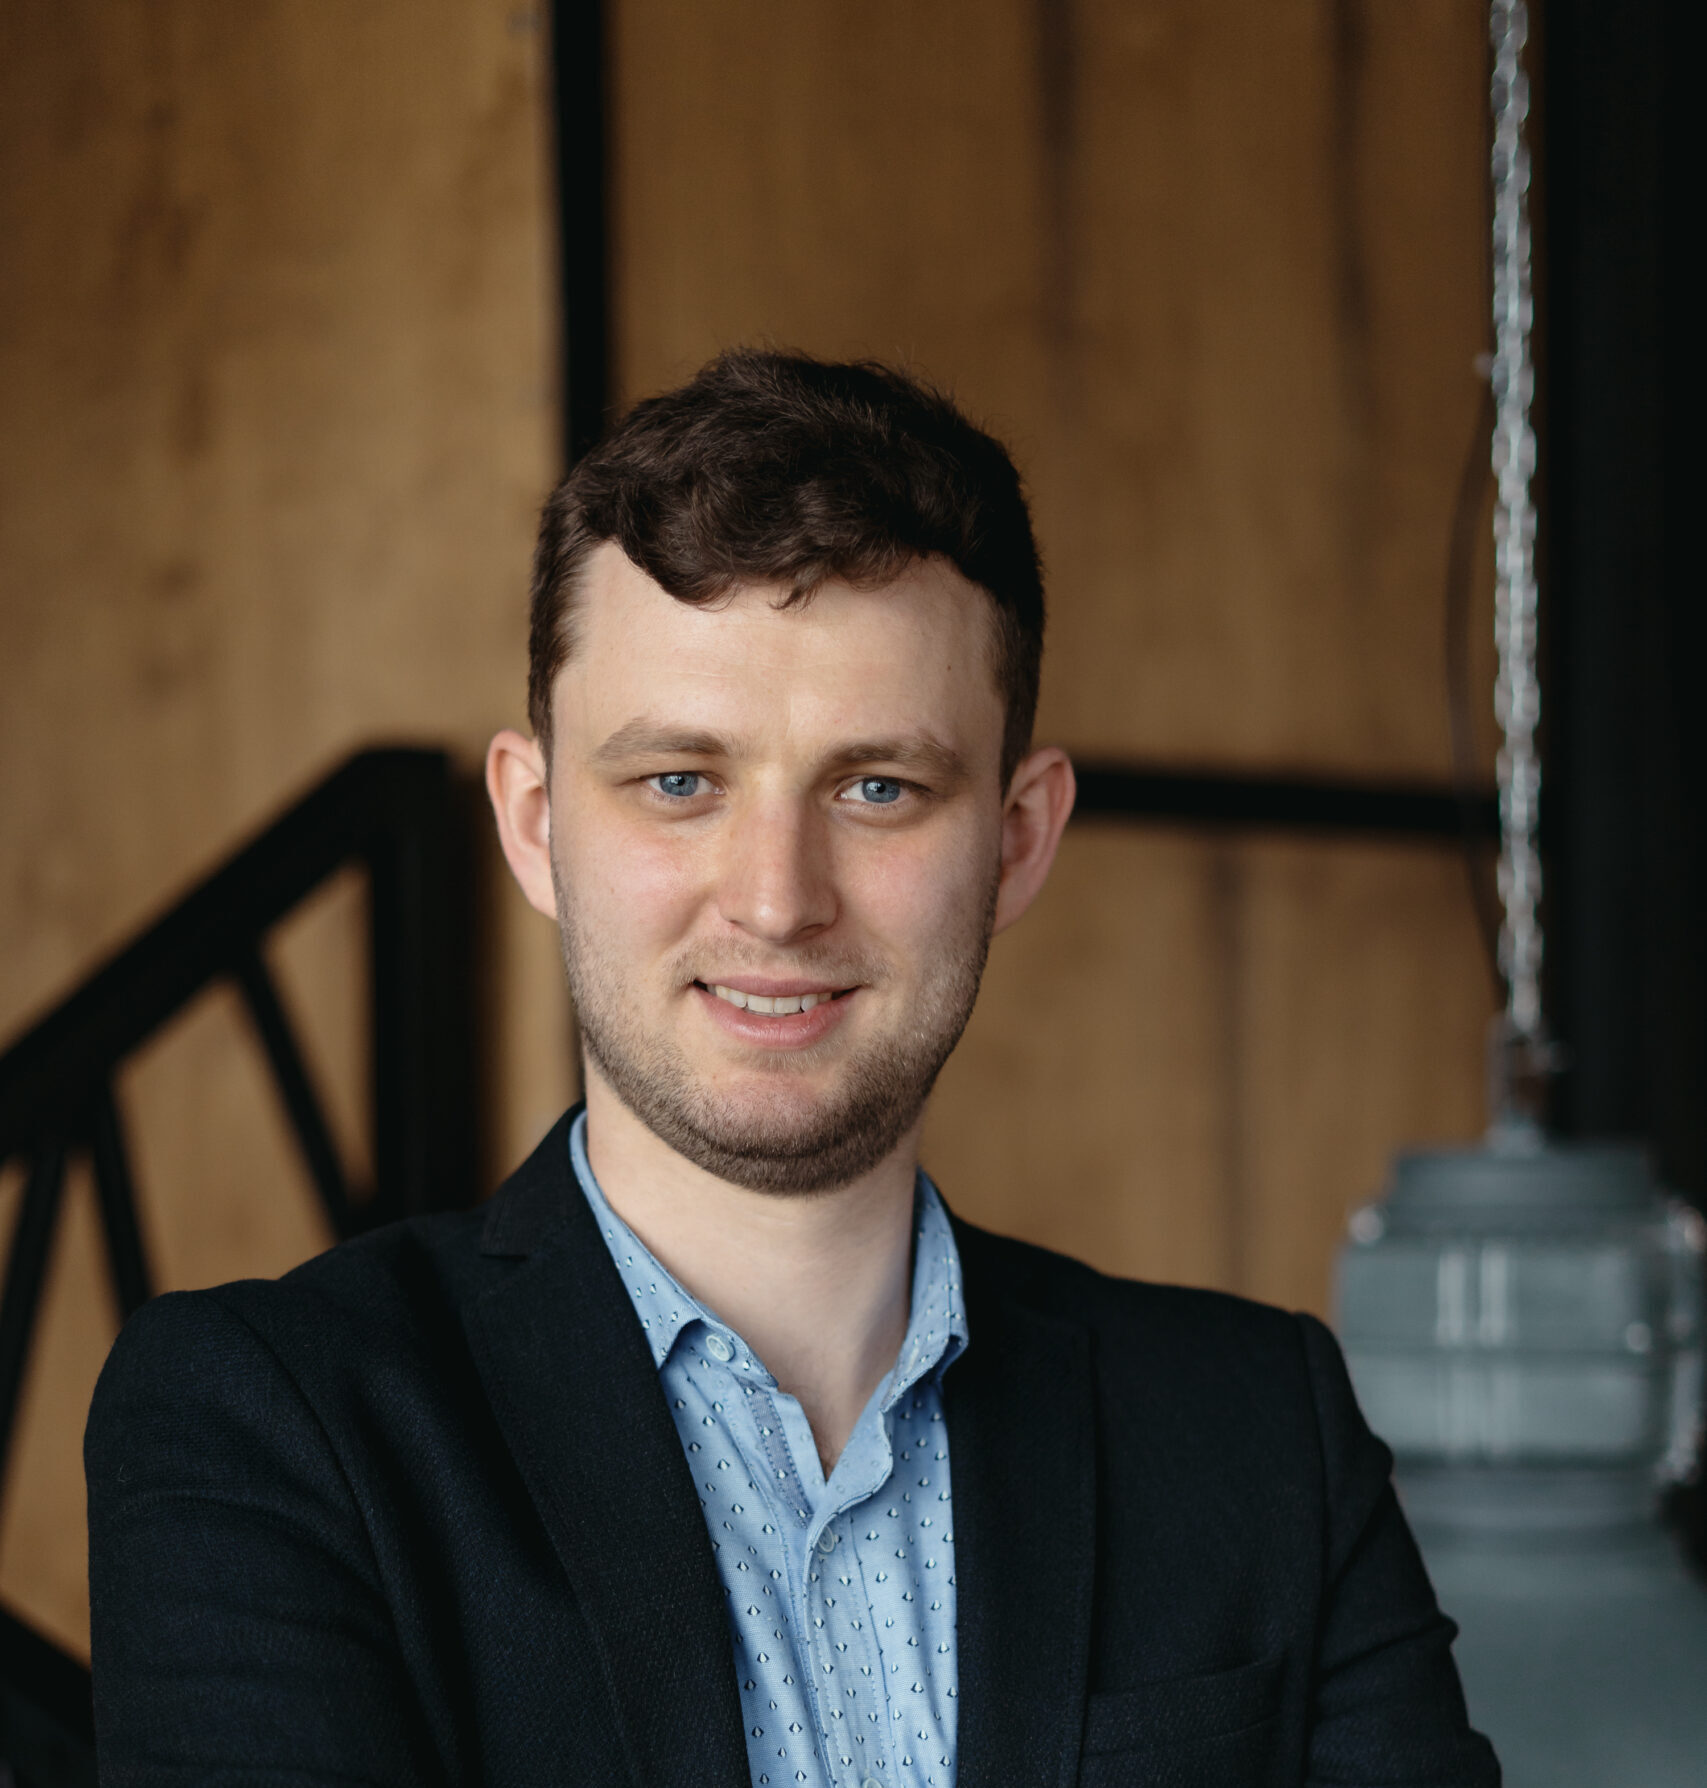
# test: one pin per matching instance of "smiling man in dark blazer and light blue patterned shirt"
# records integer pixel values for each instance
(714, 1451)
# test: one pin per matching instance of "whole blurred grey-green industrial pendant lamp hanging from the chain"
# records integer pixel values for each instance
(1524, 1326)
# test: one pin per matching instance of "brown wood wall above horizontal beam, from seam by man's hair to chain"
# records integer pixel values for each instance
(1270, 303)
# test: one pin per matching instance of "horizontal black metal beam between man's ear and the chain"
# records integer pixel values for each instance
(1284, 804)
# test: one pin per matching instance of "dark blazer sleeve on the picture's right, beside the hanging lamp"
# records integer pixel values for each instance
(1388, 1705)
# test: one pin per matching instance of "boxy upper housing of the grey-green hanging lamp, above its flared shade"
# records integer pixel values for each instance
(1524, 1328)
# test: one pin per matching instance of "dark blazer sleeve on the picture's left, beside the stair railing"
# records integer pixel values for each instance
(239, 1624)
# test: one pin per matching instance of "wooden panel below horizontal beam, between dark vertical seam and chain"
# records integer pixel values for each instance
(1358, 1029)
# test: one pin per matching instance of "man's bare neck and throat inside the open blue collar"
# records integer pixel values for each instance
(818, 1285)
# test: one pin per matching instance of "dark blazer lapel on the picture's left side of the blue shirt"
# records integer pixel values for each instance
(576, 1394)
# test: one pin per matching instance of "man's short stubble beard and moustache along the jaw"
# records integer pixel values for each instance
(782, 1142)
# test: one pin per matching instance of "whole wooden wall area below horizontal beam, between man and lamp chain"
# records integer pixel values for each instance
(1197, 1056)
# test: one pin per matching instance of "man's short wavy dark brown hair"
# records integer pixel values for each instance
(784, 469)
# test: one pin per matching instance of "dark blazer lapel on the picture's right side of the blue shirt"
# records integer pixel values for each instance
(1023, 1458)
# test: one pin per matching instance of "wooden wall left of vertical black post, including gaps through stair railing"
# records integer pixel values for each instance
(278, 355)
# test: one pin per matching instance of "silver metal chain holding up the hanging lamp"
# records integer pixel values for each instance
(1517, 689)
